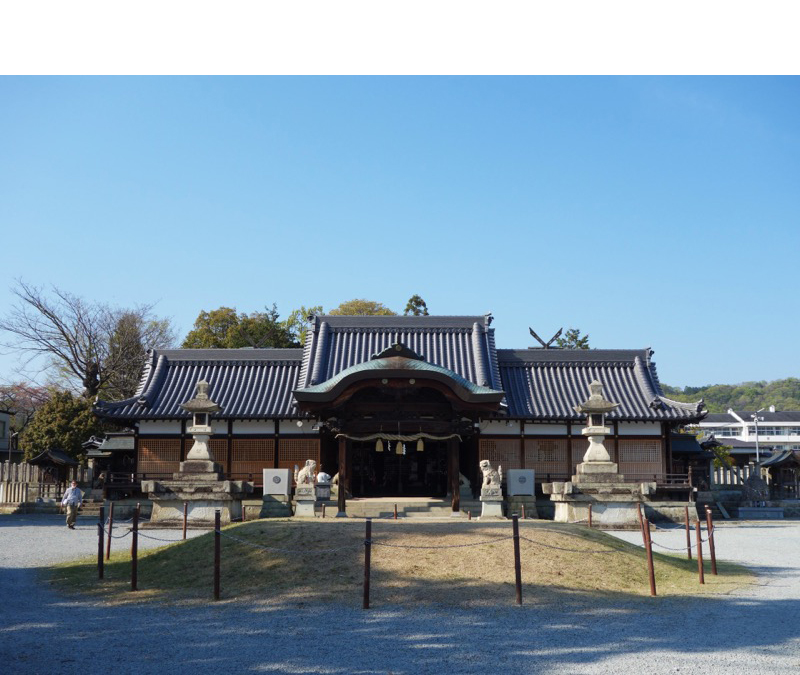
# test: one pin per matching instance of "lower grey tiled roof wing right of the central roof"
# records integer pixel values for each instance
(549, 383)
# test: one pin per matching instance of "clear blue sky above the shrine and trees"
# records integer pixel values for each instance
(643, 210)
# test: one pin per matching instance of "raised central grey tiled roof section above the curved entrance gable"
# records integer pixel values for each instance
(463, 344)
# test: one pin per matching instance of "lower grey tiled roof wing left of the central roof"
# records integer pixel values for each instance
(246, 383)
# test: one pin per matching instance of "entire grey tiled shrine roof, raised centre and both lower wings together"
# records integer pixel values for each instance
(540, 384)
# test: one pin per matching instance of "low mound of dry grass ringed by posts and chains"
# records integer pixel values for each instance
(323, 561)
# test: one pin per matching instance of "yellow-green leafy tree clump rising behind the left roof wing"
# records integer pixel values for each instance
(223, 328)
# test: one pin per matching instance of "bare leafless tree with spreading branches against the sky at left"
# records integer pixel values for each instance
(75, 335)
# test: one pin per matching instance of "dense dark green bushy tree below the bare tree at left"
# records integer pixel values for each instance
(62, 423)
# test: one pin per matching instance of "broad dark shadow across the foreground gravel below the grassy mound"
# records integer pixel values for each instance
(557, 630)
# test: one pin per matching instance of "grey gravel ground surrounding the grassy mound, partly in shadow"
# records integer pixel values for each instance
(755, 630)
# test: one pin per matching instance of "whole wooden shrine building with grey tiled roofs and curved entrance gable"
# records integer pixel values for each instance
(402, 406)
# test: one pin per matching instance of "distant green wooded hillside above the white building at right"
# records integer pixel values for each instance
(783, 394)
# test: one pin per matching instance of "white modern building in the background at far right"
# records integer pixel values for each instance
(779, 430)
